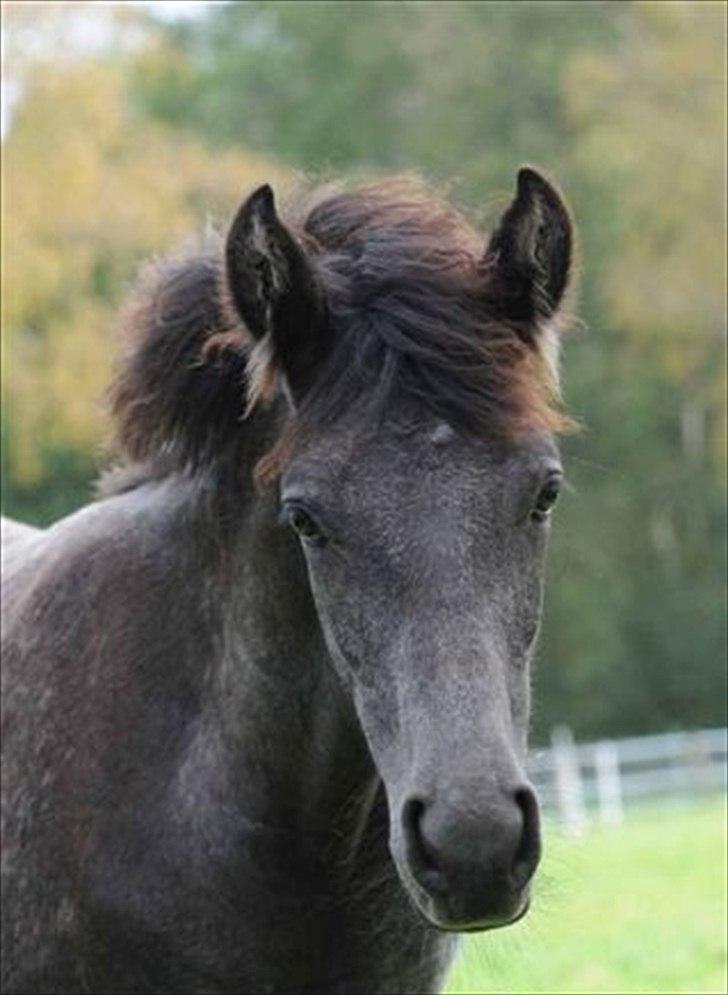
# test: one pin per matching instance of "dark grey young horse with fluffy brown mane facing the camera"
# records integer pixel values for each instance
(266, 696)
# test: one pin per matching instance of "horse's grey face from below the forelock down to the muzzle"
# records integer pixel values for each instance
(425, 558)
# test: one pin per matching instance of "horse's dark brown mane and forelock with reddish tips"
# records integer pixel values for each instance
(407, 292)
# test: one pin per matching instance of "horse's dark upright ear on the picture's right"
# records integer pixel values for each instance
(528, 259)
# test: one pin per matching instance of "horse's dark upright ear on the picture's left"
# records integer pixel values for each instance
(276, 292)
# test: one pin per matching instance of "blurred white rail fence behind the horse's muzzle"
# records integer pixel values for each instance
(584, 781)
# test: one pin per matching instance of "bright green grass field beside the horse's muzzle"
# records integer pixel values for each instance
(637, 908)
